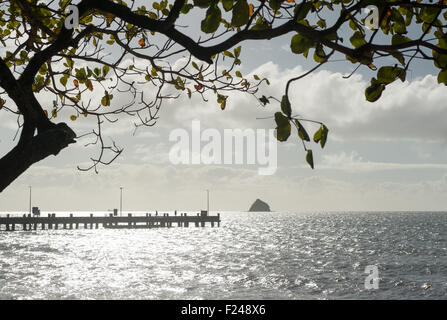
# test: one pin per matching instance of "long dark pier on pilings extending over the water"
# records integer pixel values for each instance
(30, 222)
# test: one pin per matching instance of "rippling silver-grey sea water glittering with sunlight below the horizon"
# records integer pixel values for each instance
(276, 255)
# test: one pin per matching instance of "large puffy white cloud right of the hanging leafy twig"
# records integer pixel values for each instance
(415, 110)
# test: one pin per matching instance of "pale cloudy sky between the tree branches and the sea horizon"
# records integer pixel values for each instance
(388, 155)
